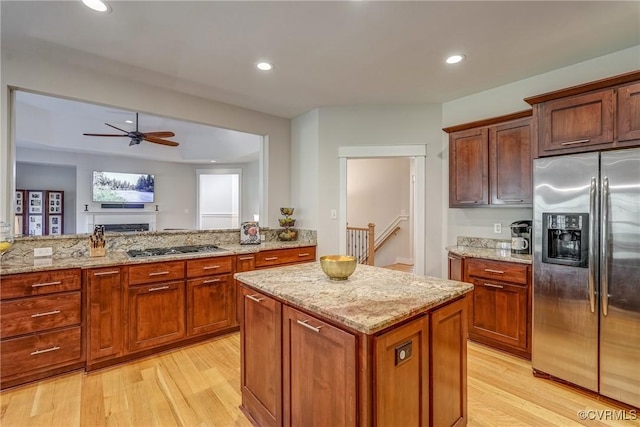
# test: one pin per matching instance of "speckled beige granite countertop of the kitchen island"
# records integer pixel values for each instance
(370, 300)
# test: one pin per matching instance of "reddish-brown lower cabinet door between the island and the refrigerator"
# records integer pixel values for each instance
(499, 312)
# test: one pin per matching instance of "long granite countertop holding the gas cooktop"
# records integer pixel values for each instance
(119, 257)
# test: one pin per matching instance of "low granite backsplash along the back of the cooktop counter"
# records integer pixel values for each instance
(77, 245)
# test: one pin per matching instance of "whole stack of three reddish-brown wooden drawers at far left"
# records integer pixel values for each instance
(41, 325)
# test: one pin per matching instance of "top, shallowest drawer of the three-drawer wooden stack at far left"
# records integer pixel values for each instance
(41, 283)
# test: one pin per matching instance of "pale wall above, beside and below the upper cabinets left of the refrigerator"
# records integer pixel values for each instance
(504, 100)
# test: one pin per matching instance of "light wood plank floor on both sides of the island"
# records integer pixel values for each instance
(199, 386)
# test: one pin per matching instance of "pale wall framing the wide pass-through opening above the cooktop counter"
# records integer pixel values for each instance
(50, 75)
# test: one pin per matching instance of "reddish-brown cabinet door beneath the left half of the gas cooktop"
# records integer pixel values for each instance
(156, 314)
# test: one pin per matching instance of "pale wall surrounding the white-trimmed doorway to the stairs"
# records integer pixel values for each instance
(356, 126)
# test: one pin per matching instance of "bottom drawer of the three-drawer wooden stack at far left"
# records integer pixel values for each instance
(46, 350)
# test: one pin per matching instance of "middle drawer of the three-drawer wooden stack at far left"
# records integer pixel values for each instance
(27, 315)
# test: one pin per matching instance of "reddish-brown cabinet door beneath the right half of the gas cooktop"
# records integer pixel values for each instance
(209, 304)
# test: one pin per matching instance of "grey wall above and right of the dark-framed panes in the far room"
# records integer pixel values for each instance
(31, 176)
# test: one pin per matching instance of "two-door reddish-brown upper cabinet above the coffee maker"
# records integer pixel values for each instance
(490, 162)
